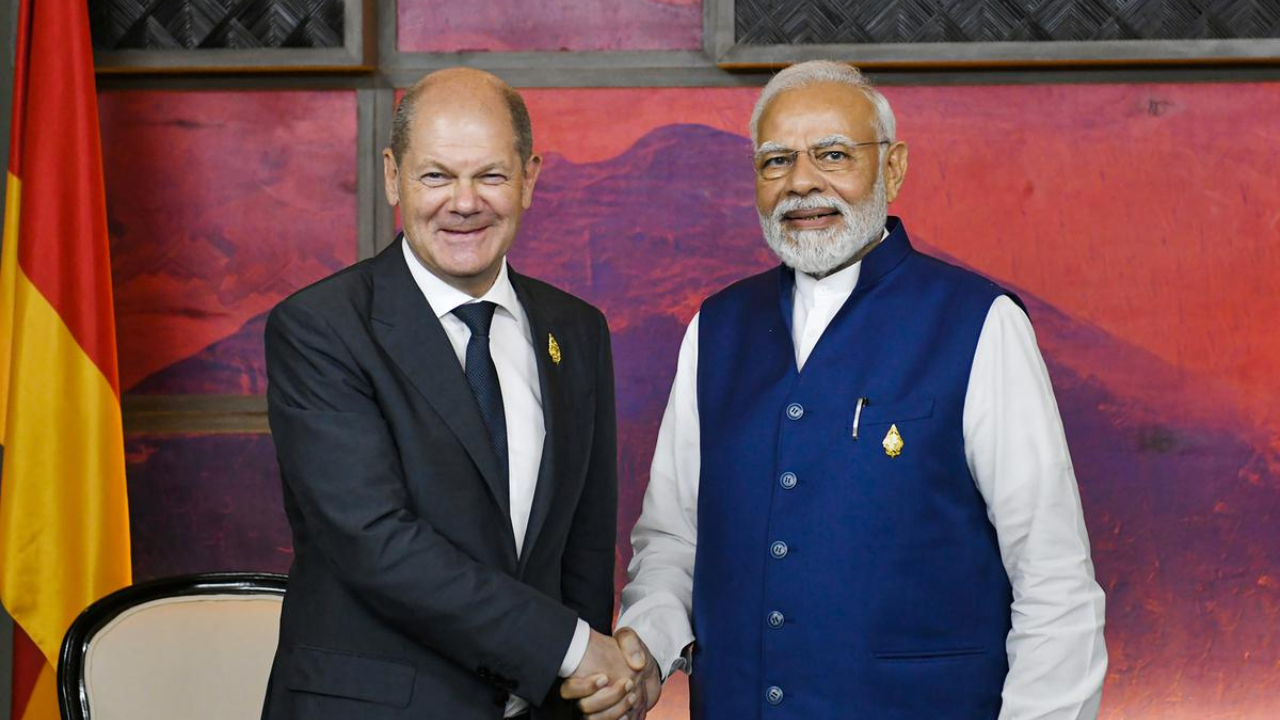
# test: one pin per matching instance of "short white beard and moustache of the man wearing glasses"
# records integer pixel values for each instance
(820, 252)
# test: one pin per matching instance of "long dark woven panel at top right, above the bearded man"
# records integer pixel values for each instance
(796, 22)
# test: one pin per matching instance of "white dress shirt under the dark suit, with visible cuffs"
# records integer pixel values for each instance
(513, 349)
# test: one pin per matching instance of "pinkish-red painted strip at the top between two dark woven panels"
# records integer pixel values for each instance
(441, 26)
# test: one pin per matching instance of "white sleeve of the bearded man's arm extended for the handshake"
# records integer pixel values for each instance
(657, 604)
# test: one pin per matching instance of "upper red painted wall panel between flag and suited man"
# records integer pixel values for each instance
(221, 204)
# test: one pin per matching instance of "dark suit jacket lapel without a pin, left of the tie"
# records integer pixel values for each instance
(413, 336)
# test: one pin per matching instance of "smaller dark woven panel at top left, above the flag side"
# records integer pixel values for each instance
(188, 25)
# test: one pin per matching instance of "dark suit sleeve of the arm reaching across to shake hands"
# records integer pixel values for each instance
(342, 468)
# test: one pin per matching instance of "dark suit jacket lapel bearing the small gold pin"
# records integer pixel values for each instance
(542, 330)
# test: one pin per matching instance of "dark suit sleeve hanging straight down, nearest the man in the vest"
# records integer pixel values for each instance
(587, 567)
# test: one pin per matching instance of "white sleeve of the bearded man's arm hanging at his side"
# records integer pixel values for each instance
(1018, 455)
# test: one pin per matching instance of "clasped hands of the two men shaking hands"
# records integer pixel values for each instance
(618, 678)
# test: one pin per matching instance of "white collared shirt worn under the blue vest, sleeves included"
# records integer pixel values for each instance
(1017, 453)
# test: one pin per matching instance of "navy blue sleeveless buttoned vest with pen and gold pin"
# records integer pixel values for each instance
(833, 580)
